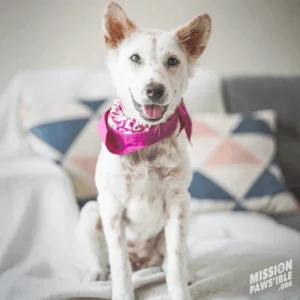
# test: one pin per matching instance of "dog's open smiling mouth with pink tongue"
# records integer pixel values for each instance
(150, 112)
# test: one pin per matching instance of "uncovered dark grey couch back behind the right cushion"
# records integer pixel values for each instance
(245, 94)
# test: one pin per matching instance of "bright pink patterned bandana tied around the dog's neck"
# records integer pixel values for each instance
(122, 134)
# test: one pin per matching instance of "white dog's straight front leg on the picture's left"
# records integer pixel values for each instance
(113, 224)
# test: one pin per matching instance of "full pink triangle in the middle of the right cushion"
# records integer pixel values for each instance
(231, 153)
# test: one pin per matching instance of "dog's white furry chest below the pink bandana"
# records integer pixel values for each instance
(151, 175)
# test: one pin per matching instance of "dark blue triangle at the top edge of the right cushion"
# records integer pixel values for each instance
(252, 125)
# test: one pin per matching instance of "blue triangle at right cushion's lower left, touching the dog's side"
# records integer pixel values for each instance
(203, 188)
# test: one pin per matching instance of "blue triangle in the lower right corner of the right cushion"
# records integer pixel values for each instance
(266, 184)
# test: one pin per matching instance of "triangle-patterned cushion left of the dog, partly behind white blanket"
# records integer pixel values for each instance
(67, 134)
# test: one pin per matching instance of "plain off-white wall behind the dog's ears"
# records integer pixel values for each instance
(249, 36)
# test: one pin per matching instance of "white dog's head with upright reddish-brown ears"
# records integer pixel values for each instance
(151, 68)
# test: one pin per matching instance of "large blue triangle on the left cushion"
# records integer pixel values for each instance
(60, 135)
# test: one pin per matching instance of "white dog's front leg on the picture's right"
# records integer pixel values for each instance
(175, 232)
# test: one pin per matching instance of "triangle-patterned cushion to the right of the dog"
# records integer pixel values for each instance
(235, 164)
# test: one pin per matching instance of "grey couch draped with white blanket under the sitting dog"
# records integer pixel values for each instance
(39, 254)
